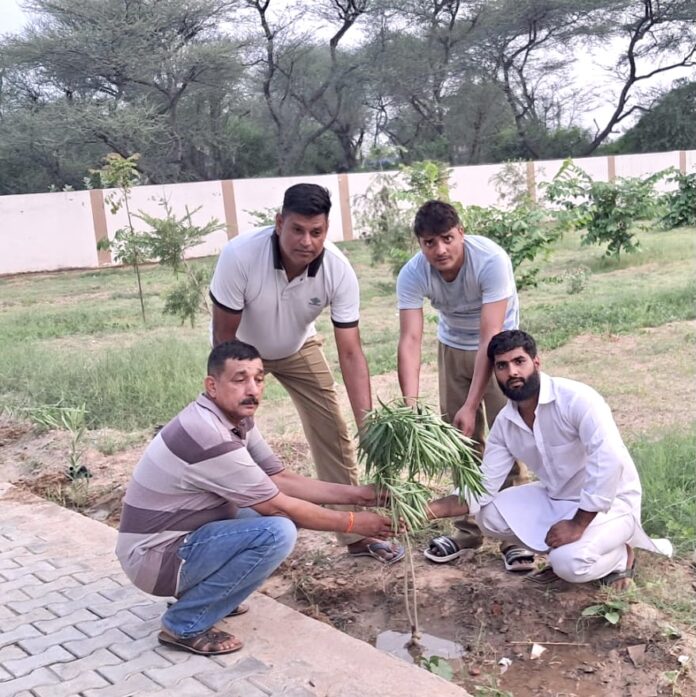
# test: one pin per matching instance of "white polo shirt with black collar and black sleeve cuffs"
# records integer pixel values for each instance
(277, 315)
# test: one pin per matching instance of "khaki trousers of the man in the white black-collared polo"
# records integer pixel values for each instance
(308, 380)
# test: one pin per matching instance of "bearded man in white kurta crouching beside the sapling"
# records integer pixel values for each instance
(584, 508)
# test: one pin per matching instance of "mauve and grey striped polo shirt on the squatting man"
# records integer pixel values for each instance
(198, 469)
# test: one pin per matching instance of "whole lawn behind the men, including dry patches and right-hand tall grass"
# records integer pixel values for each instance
(77, 338)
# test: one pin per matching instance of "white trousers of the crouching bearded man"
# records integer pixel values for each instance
(600, 551)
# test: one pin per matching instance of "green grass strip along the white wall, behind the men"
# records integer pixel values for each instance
(78, 336)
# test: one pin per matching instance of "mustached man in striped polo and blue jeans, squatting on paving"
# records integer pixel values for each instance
(211, 512)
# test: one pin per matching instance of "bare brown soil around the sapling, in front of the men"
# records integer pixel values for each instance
(495, 615)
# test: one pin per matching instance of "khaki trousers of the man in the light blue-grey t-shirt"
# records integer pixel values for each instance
(455, 370)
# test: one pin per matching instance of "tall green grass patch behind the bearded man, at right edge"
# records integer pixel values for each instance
(667, 470)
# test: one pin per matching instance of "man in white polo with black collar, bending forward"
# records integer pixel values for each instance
(268, 288)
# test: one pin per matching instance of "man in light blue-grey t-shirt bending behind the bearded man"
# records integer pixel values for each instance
(469, 280)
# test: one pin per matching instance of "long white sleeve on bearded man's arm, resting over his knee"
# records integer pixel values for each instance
(604, 448)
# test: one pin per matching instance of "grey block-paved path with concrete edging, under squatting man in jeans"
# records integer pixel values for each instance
(71, 624)
